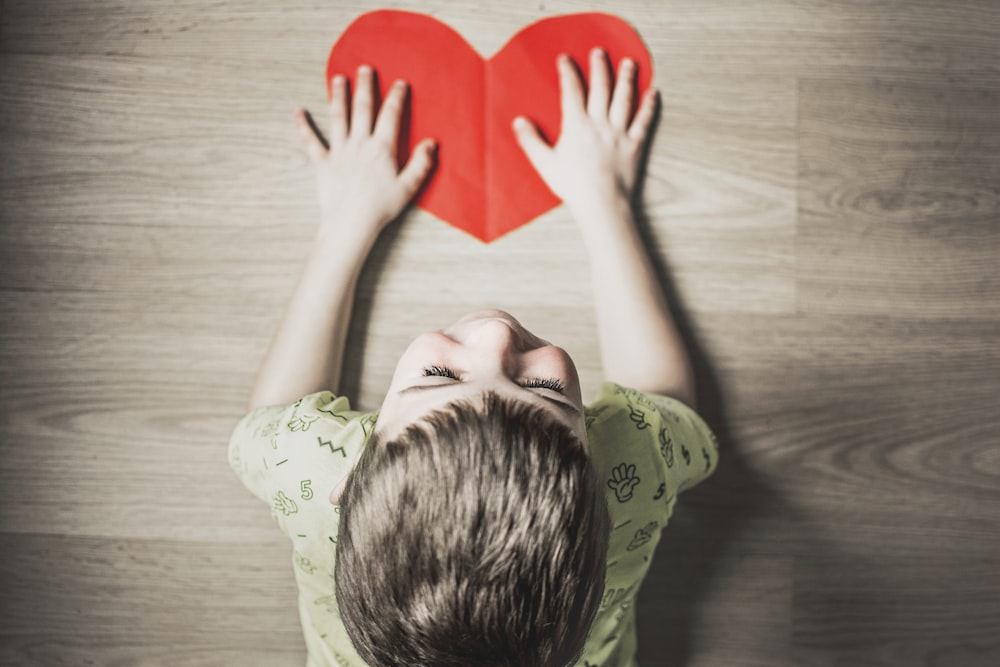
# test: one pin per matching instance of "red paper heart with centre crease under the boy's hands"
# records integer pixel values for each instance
(482, 183)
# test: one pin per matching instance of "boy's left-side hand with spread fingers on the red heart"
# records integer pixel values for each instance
(359, 184)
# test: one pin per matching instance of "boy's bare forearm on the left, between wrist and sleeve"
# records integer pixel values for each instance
(307, 350)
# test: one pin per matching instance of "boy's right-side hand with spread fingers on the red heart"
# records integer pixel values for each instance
(595, 162)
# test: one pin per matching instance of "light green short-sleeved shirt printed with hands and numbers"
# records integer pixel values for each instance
(648, 448)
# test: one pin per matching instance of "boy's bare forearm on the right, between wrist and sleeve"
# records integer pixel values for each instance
(639, 342)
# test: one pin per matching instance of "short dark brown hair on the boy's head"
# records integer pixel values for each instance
(477, 537)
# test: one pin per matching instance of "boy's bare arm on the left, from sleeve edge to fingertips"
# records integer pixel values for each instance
(360, 190)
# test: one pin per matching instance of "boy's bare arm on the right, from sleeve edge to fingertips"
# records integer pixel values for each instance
(594, 167)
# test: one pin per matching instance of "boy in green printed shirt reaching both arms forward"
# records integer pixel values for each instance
(485, 515)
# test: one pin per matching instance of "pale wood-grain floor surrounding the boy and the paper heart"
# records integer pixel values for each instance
(824, 191)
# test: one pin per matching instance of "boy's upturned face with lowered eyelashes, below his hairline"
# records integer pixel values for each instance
(487, 350)
